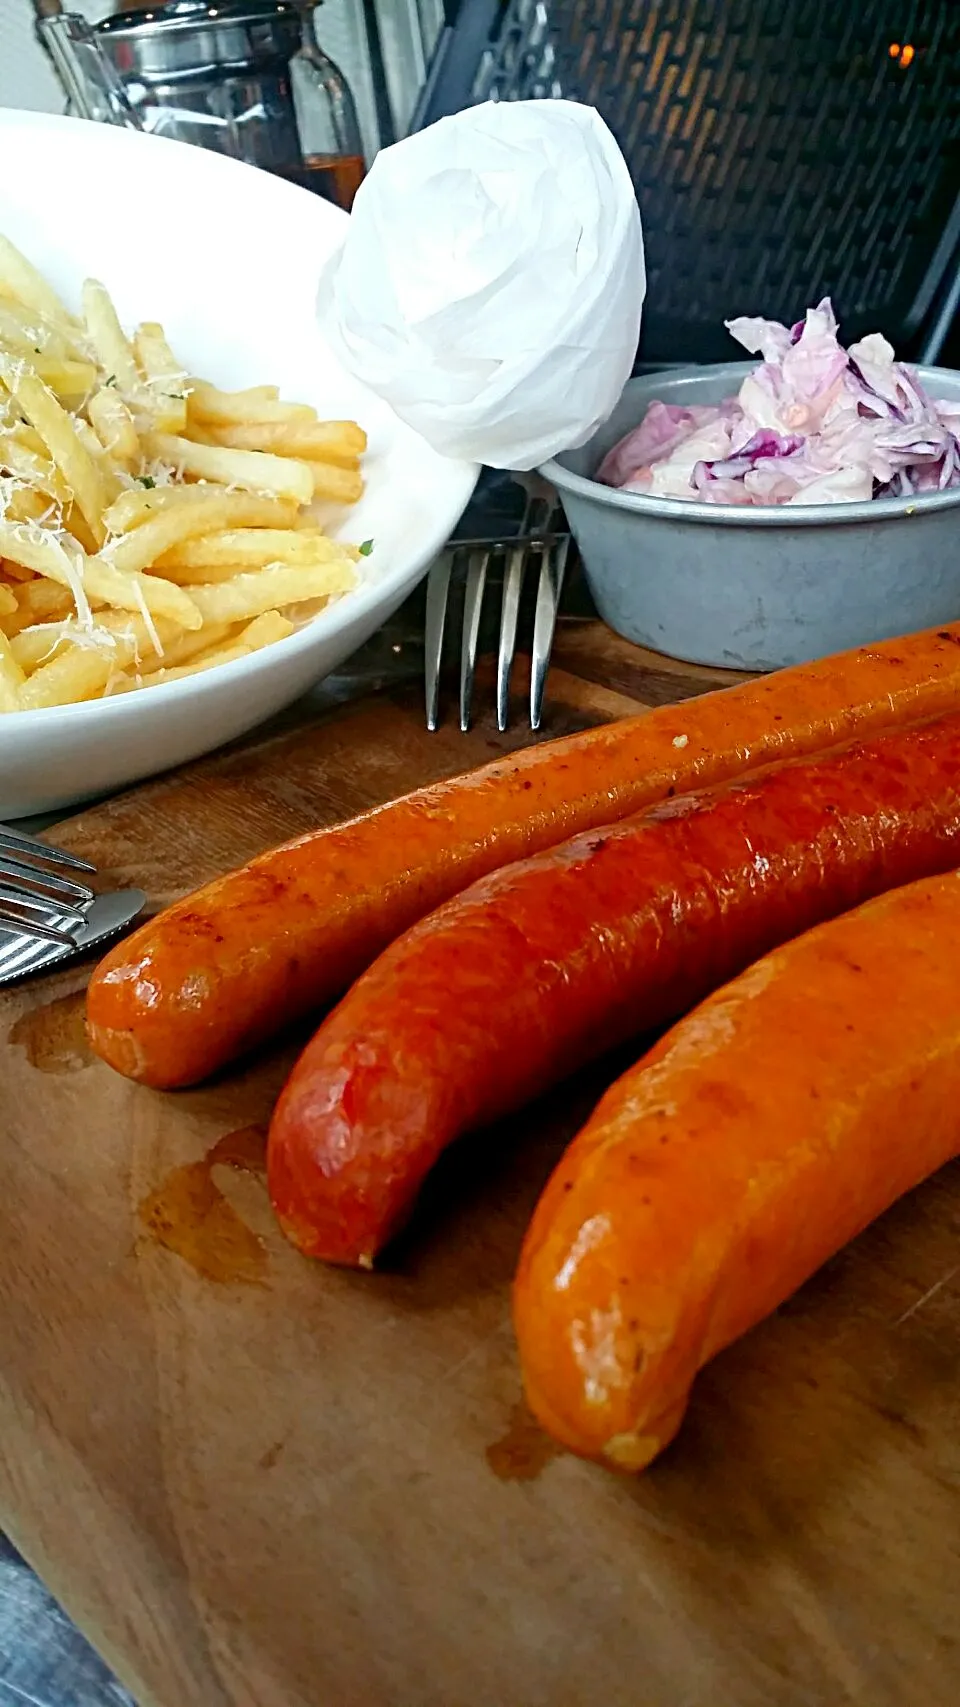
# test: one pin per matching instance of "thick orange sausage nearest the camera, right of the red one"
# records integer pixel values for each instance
(758, 1138)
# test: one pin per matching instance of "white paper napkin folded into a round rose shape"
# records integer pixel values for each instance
(491, 281)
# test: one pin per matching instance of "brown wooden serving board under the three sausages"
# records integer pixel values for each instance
(257, 1483)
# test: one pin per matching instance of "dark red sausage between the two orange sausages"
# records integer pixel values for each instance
(547, 964)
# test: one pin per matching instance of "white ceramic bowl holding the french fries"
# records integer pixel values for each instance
(228, 259)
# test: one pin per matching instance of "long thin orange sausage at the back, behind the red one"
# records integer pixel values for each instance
(259, 948)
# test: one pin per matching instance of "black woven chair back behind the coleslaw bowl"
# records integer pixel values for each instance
(780, 153)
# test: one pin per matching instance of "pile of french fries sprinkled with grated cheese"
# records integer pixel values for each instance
(151, 525)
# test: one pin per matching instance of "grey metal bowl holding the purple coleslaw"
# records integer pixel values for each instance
(756, 588)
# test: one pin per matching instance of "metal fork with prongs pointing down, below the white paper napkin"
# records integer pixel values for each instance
(542, 540)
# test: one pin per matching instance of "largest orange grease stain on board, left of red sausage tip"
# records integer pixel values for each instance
(190, 1216)
